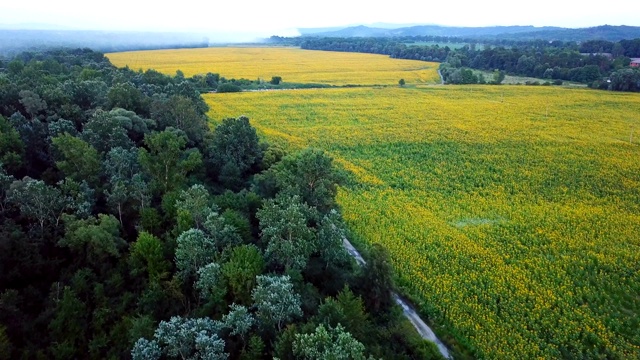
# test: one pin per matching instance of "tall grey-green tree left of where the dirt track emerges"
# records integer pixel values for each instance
(289, 239)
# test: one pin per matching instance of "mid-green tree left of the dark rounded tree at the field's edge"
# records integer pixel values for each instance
(167, 162)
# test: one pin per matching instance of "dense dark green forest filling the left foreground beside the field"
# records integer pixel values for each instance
(131, 229)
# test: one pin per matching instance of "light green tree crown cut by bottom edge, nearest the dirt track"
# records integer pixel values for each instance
(332, 344)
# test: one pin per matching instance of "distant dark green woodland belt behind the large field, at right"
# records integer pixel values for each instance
(600, 64)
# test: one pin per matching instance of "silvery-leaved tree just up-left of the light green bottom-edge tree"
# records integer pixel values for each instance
(276, 300)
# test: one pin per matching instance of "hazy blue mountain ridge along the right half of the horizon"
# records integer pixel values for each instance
(605, 32)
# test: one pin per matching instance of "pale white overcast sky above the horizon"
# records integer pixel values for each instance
(283, 17)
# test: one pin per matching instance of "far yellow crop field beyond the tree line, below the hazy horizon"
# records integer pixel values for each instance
(292, 64)
